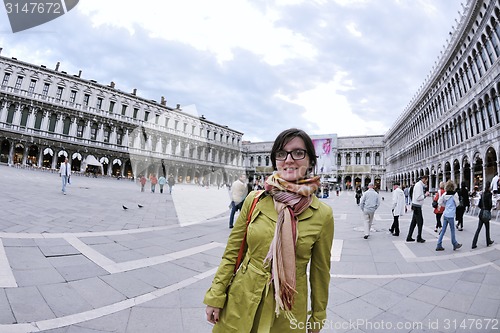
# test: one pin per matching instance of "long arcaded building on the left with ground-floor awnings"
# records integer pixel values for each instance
(47, 115)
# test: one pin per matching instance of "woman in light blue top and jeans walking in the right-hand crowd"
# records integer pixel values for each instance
(450, 202)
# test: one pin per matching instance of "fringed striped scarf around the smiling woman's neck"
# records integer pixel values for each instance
(290, 199)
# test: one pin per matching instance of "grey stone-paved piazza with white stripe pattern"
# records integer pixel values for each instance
(81, 263)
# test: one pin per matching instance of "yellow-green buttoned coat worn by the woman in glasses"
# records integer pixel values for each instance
(249, 306)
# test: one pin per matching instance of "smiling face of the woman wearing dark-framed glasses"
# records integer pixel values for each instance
(292, 170)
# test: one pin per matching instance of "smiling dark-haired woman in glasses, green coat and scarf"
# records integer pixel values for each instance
(269, 292)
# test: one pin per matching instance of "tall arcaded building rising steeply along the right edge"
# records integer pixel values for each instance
(451, 128)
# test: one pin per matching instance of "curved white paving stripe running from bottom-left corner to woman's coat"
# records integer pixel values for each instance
(77, 318)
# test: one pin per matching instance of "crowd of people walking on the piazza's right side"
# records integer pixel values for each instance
(449, 206)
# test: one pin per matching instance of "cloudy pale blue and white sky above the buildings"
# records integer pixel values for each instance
(348, 67)
